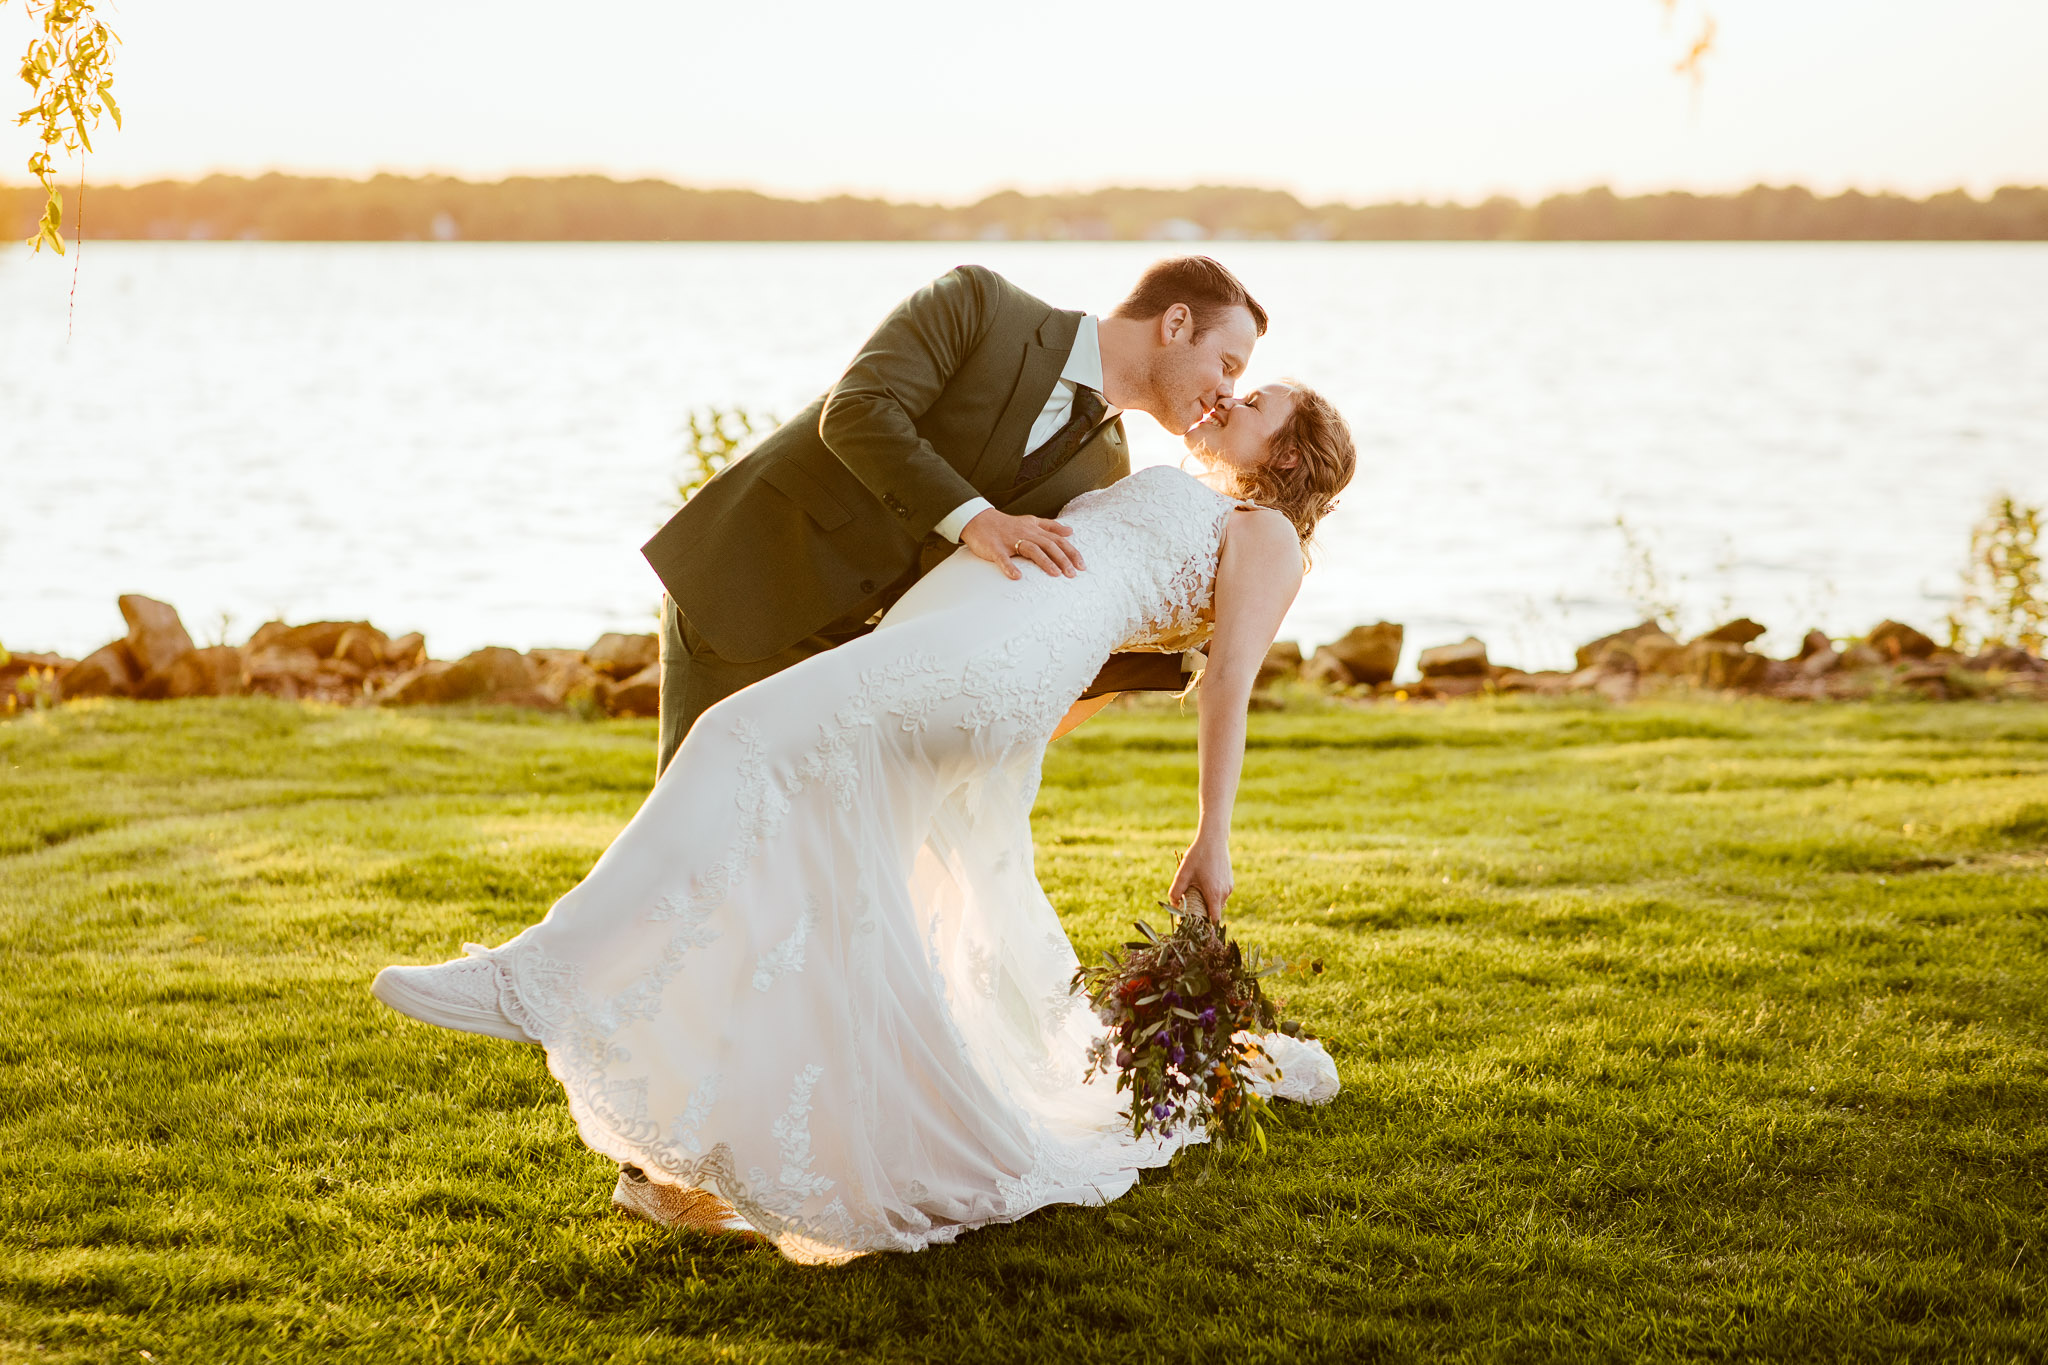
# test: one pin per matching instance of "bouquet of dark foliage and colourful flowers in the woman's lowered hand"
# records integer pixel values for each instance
(1185, 1012)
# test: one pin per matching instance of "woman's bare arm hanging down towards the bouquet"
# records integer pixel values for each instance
(1256, 584)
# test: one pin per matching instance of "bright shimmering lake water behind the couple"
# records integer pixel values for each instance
(474, 439)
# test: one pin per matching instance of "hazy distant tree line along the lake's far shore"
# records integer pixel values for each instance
(282, 208)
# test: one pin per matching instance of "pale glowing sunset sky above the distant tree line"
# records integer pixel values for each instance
(939, 99)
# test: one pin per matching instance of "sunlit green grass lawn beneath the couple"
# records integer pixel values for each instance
(1711, 1032)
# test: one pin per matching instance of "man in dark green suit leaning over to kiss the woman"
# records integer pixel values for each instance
(972, 416)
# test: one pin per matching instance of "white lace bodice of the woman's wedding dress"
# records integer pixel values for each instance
(1156, 539)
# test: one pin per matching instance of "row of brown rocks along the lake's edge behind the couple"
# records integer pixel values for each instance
(355, 664)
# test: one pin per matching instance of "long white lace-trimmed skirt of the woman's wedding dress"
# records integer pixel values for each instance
(816, 973)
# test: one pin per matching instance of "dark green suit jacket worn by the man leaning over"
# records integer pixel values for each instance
(833, 515)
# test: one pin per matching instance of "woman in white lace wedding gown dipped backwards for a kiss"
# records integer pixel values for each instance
(816, 975)
